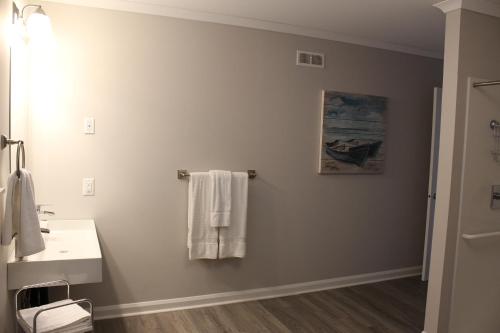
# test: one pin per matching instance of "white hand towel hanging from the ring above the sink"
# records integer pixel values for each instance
(21, 216)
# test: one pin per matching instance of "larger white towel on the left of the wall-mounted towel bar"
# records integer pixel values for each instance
(202, 238)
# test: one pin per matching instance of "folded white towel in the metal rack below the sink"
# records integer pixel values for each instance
(70, 318)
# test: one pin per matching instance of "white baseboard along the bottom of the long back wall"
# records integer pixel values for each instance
(133, 309)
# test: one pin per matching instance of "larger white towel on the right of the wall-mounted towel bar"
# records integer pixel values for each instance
(232, 239)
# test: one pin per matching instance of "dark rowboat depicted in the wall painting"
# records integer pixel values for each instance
(353, 151)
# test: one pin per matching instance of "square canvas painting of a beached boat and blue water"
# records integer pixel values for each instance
(353, 133)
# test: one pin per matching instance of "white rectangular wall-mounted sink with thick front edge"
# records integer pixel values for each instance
(71, 253)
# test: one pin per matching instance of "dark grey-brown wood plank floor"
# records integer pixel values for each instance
(387, 307)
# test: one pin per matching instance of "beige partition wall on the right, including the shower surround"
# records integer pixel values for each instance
(467, 171)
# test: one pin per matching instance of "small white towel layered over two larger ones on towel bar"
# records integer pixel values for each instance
(220, 206)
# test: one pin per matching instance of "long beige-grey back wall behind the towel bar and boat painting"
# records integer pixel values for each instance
(168, 94)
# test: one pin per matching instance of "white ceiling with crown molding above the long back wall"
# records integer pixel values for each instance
(411, 26)
